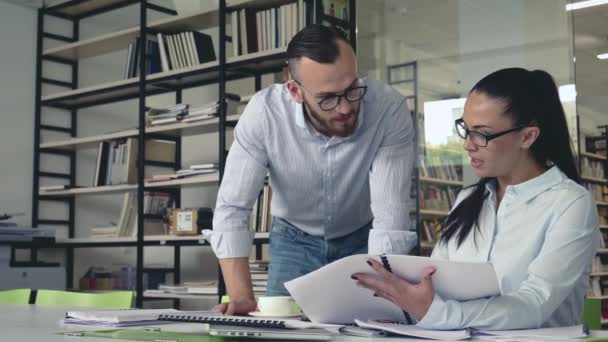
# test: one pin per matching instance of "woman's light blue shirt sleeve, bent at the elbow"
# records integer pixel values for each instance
(564, 258)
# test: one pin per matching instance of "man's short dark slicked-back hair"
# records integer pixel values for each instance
(317, 42)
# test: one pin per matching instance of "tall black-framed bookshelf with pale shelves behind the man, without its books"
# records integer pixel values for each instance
(71, 98)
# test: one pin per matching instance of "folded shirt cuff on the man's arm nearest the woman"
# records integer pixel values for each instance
(382, 241)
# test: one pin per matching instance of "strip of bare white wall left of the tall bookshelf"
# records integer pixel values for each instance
(17, 72)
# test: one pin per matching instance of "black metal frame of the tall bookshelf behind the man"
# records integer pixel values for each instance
(73, 12)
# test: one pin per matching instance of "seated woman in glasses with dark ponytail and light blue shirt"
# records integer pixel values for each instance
(527, 215)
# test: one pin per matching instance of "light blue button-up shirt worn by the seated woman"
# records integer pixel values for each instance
(541, 241)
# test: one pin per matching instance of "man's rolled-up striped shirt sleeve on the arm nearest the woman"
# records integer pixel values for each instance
(390, 180)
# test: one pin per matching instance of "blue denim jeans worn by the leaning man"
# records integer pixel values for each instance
(294, 253)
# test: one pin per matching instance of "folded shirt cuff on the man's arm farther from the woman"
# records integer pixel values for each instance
(235, 244)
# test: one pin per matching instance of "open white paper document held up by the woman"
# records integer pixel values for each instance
(329, 295)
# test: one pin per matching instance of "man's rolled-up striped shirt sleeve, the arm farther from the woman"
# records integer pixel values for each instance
(246, 168)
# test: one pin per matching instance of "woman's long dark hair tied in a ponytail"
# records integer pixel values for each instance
(530, 98)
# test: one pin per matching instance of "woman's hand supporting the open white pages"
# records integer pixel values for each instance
(416, 299)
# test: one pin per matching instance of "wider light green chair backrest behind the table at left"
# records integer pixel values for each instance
(109, 300)
